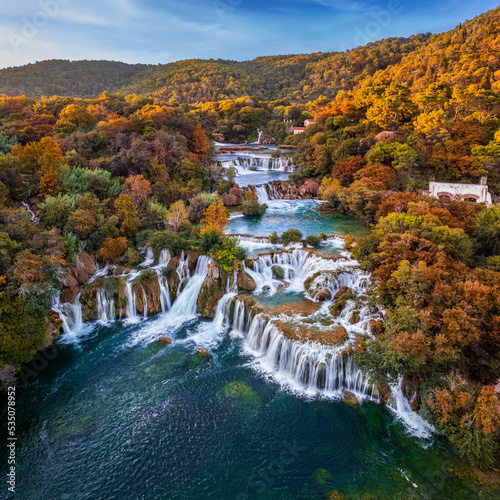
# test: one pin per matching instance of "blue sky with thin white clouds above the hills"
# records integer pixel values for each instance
(162, 31)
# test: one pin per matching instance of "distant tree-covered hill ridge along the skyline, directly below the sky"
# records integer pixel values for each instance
(465, 55)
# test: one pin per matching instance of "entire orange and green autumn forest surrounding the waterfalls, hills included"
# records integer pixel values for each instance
(113, 173)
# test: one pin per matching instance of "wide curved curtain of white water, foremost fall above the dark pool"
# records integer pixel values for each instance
(305, 367)
